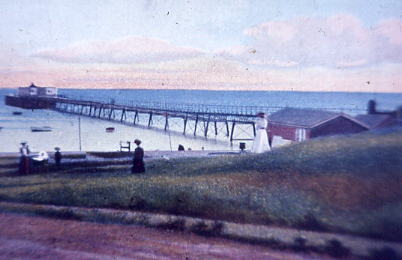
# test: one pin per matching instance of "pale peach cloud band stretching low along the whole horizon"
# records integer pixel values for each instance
(207, 73)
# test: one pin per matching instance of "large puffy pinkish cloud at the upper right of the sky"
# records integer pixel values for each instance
(336, 41)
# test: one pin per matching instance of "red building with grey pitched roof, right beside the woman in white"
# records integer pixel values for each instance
(301, 124)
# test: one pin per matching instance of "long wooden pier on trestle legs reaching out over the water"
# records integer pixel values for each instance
(233, 122)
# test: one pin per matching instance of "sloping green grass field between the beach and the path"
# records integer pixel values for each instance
(350, 184)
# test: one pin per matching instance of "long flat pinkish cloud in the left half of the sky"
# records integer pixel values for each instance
(121, 51)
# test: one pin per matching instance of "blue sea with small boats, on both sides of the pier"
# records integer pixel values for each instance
(75, 133)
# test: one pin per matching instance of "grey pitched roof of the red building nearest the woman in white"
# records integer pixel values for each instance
(307, 118)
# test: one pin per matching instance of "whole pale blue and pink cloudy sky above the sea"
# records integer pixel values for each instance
(304, 45)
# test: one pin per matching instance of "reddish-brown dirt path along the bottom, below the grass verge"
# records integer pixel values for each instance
(27, 237)
